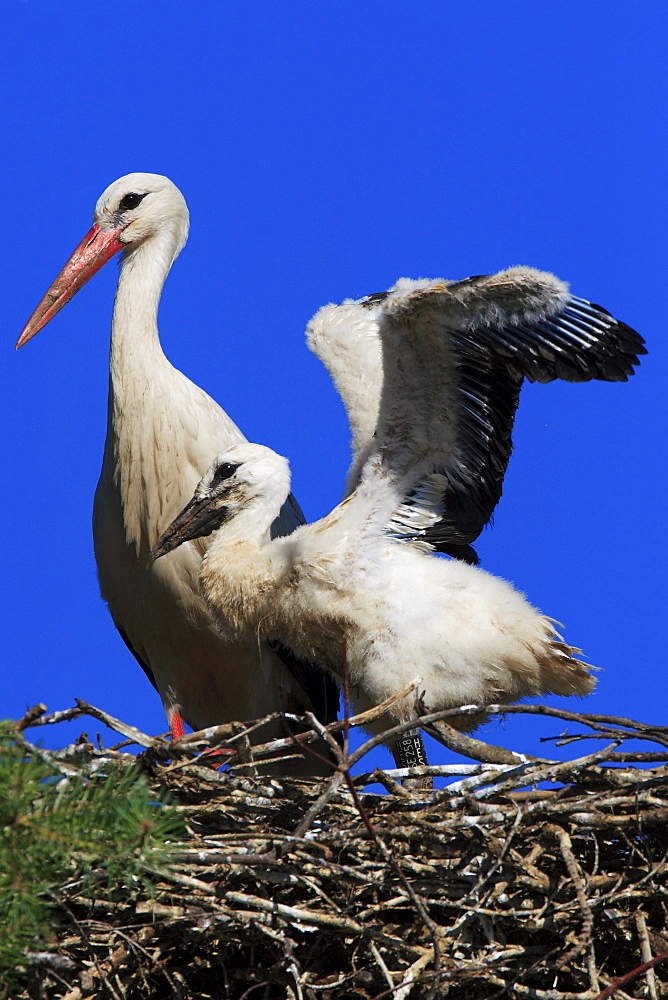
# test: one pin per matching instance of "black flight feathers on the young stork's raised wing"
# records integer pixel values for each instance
(576, 343)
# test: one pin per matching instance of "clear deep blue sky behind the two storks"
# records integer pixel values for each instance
(326, 149)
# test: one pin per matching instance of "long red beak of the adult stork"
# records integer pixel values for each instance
(96, 248)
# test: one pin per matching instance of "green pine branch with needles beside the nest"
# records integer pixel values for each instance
(100, 834)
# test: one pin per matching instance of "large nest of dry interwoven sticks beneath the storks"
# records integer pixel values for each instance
(526, 878)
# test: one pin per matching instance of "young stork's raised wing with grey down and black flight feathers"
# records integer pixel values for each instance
(454, 355)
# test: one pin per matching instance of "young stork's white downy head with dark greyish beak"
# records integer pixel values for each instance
(246, 479)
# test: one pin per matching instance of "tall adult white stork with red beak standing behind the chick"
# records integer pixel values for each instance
(162, 431)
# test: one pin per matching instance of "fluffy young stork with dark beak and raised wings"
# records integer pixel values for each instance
(358, 587)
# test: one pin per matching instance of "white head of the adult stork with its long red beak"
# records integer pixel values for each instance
(132, 210)
